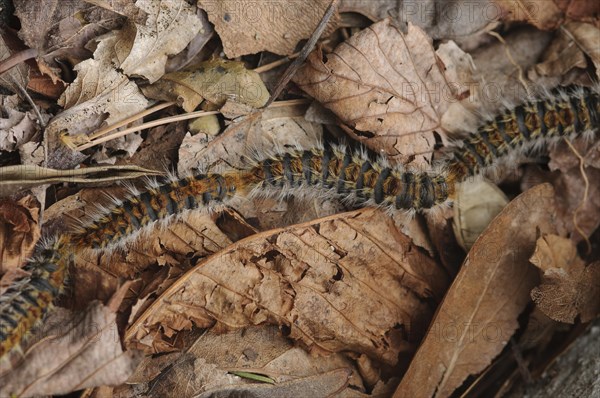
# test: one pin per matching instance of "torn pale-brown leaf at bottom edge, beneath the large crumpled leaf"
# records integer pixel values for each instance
(259, 349)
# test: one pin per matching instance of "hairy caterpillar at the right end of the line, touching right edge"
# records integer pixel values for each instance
(568, 114)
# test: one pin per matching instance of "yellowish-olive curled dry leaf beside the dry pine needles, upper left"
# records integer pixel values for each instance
(216, 81)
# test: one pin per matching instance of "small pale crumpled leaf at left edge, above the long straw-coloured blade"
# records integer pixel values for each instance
(18, 128)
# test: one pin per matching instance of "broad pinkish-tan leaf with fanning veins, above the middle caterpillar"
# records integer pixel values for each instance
(387, 87)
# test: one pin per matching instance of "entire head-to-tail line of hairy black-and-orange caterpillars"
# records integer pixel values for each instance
(327, 171)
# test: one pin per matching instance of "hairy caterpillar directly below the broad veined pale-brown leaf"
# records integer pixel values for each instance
(351, 176)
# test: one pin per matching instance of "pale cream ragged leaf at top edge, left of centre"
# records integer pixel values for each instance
(169, 27)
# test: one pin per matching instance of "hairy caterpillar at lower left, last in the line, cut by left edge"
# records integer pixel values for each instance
(29, 299)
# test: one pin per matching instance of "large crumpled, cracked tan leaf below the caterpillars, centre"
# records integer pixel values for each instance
(350, 282)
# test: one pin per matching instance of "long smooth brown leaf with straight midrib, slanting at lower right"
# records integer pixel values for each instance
(479, 313)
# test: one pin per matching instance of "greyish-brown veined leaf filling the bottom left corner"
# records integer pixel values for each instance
(72, 351)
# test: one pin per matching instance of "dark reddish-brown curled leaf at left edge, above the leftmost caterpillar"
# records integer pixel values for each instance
(19, 231)
